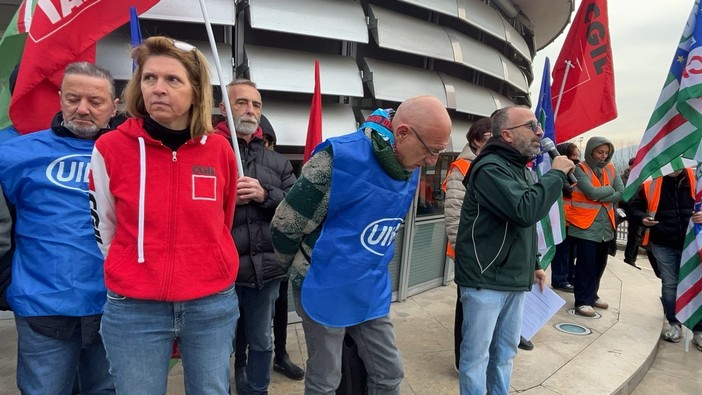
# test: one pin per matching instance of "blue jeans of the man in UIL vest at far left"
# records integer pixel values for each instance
(48, 366)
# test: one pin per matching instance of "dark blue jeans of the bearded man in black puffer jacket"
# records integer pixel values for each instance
(256, 307)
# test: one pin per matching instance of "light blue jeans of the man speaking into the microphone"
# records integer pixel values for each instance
(492, 322)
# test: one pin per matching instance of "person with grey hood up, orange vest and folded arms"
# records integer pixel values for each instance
(593, 222)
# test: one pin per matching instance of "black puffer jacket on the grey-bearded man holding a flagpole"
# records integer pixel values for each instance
(251, 231)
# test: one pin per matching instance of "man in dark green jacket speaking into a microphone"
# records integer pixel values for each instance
(496, 246)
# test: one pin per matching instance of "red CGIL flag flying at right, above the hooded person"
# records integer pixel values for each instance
(586, 99)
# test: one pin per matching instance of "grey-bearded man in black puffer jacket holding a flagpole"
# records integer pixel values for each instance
(268, 176)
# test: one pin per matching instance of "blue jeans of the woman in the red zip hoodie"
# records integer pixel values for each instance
(139, 335)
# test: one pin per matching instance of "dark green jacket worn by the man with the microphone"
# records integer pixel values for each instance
(496, 246)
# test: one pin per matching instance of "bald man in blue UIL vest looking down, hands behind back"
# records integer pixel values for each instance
(337, 226)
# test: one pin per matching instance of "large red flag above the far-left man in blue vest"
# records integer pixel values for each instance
(61, 32)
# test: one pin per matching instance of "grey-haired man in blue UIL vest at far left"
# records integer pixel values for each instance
(57, 290)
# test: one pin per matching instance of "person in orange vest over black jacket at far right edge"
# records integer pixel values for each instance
(664, 206)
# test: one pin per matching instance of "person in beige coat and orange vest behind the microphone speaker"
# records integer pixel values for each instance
(477, 136)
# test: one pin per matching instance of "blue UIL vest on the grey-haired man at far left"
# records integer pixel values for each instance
(57, 268)
